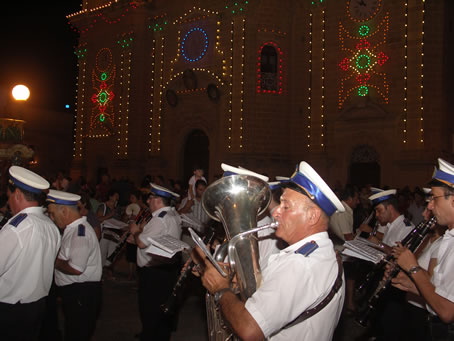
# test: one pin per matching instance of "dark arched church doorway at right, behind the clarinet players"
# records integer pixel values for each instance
(364, 167)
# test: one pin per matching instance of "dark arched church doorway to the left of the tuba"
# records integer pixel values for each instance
(195, 152)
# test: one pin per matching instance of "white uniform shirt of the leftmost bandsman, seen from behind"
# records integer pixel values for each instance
(29, 245)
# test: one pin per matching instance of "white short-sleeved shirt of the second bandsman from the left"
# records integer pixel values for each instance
(80, 247)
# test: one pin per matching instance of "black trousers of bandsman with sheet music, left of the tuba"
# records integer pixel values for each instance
(155, 286)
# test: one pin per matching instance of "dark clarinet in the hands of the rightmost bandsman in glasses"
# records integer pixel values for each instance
(412, 242)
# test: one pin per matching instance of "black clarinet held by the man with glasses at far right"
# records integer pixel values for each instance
(412, 245)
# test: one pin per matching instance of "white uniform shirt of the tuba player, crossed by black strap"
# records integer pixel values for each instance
(292, 284)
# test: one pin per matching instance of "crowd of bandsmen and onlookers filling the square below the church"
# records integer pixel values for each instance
(62, 238)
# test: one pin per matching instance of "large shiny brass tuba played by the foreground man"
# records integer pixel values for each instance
(236, 201)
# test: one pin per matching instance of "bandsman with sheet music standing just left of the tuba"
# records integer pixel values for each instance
(157, 275)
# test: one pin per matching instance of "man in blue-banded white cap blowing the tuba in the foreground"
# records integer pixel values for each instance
(302, 293)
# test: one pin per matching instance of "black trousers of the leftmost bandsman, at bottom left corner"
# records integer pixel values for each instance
(21, 322)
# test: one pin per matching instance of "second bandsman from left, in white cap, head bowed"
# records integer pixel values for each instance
(78, 266)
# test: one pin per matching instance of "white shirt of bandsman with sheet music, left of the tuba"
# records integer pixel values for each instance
(165, 221)
